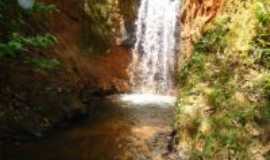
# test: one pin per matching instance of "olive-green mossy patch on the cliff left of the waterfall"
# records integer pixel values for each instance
(99, 25)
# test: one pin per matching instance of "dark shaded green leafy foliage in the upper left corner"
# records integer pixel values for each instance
(18, 37)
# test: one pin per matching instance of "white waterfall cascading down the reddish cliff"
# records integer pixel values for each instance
(154, 53)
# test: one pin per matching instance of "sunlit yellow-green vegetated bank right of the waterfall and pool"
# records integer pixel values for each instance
(224, 104)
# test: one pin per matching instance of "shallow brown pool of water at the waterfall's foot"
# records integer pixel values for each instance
(121, 127)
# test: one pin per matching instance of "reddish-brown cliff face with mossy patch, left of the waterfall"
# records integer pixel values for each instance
(90, 43)
